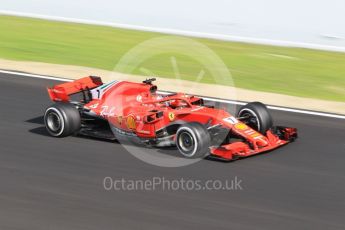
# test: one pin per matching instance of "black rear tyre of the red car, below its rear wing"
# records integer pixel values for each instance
(62, 119)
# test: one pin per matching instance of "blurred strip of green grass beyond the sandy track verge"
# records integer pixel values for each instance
(291, 71)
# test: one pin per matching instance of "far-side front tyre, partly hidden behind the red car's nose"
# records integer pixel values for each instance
(256, 116)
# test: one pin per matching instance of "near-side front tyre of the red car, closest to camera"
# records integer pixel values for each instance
(193, 140)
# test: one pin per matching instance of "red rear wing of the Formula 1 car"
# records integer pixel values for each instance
(62, 92)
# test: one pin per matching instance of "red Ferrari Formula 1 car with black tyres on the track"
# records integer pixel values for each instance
(123, 109)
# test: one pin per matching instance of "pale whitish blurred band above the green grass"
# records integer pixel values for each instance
(307, 21)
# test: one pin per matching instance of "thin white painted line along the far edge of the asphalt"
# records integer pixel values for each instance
(206, 98)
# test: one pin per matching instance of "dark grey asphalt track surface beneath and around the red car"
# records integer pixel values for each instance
(52, 183)
